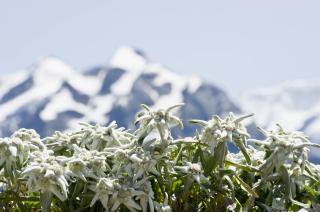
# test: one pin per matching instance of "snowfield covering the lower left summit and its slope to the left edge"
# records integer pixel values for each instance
(42, 80)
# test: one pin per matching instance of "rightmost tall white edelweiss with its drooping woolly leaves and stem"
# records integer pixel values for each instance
(287, 161)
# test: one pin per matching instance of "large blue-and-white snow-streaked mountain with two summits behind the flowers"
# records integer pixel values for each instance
(52, 95)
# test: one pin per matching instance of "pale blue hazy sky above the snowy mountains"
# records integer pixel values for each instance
(239, 45)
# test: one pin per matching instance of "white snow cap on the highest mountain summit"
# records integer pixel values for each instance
(129, 59)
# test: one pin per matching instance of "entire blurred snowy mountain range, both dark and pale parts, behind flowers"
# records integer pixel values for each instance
(51, 95)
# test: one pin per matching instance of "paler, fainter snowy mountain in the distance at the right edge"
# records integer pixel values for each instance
(293, 104)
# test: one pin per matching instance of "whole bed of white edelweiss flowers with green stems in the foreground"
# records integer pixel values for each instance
(107, 168)
